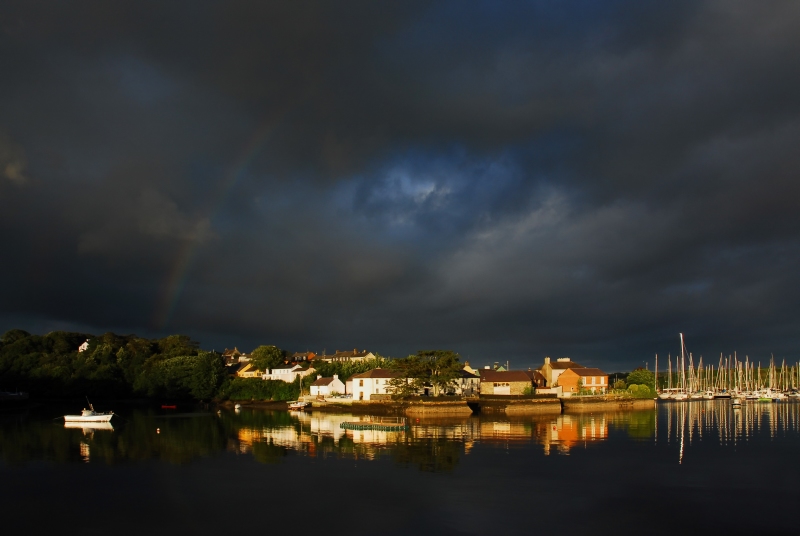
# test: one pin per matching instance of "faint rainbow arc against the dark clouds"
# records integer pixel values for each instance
(188, 254)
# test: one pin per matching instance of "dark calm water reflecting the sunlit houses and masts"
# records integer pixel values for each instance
(684, 468)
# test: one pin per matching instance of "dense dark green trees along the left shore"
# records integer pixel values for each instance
(112, 366)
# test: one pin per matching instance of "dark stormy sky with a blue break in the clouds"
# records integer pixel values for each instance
(507, 180)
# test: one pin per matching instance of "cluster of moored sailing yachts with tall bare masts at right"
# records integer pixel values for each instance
(740, 380)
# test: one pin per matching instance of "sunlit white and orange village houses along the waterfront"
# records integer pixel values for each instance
(559, 377)
